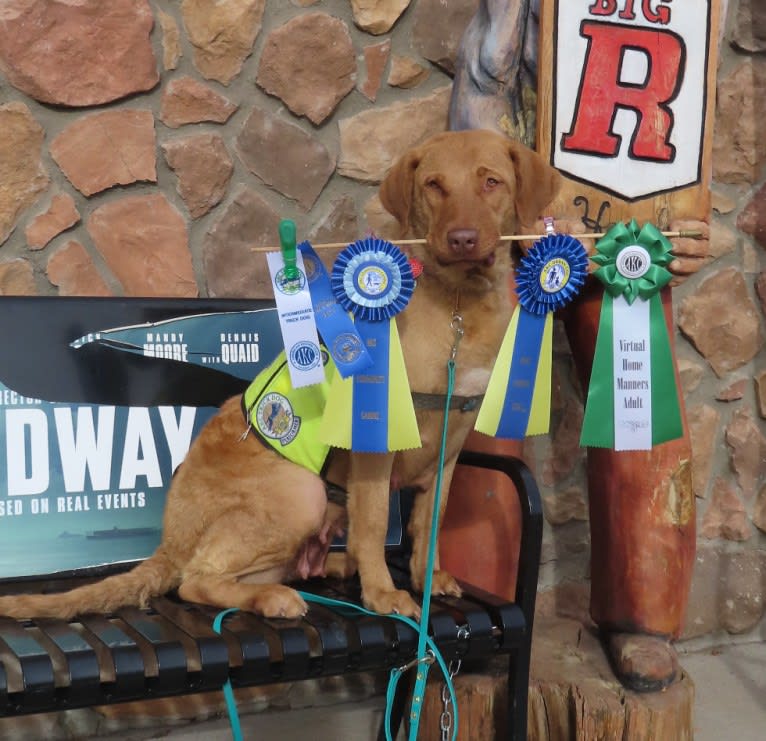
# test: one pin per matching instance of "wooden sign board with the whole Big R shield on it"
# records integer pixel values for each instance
(627, 90)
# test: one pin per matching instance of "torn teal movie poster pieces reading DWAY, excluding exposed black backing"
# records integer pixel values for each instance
(84, 485)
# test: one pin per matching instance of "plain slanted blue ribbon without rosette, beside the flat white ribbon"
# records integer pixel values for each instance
(334, 324)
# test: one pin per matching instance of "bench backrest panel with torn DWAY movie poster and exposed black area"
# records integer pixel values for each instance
(95, 419)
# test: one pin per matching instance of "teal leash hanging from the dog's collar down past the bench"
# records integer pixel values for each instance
(428, 653)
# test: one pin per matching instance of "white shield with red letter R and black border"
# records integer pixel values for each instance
(629, 93)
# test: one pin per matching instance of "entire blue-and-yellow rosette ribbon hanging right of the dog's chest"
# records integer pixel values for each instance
(518, 398)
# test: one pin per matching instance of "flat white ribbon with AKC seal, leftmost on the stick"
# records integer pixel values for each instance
(297, 322)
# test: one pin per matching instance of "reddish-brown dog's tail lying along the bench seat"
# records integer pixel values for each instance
(150, 578)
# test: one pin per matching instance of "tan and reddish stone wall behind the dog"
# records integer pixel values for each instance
(146, 147)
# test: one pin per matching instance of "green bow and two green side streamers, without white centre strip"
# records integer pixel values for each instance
(598, 423)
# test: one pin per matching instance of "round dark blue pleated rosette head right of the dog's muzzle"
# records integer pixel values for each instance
(551, 273)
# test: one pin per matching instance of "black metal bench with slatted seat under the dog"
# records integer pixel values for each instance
(171, 648)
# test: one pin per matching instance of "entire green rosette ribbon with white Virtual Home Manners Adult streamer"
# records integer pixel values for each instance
(632, 401)
